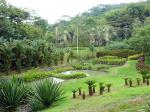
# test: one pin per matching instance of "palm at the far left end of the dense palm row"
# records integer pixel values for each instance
(6, 56)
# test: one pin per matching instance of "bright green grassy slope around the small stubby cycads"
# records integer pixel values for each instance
(116, 101)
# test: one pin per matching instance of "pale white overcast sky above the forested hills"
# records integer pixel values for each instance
(53, 10)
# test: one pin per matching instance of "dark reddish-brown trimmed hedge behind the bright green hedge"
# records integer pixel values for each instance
(120, 53)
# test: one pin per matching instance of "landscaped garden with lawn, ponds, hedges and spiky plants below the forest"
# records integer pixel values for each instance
(79, 83)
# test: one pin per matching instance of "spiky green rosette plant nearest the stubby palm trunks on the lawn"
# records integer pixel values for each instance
(47, 92)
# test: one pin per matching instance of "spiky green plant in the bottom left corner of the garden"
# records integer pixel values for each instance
(13, 93)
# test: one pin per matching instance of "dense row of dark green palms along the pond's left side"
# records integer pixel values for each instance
(17, 54)
